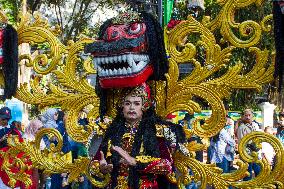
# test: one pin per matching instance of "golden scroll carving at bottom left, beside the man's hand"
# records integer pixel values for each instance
(54, 161)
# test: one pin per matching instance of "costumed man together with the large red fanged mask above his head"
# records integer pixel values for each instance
(136, 145)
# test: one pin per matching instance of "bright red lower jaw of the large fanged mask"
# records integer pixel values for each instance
(128, 81)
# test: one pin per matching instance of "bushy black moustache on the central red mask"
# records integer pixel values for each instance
(121, 44)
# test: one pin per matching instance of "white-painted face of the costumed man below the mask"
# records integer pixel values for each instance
(132, 108)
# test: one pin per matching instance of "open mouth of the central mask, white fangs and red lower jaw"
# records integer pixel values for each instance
(126, 70)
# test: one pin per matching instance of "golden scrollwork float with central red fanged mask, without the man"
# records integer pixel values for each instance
(72, 91)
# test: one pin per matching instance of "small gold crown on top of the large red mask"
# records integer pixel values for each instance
(125, 17)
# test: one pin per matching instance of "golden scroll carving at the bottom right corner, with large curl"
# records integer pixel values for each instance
(209, 174)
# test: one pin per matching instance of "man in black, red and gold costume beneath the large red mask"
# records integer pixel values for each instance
(136, 146)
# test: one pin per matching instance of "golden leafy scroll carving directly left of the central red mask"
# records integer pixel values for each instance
(73, 93)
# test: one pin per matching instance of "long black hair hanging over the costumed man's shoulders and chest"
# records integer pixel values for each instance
(146, 134)
